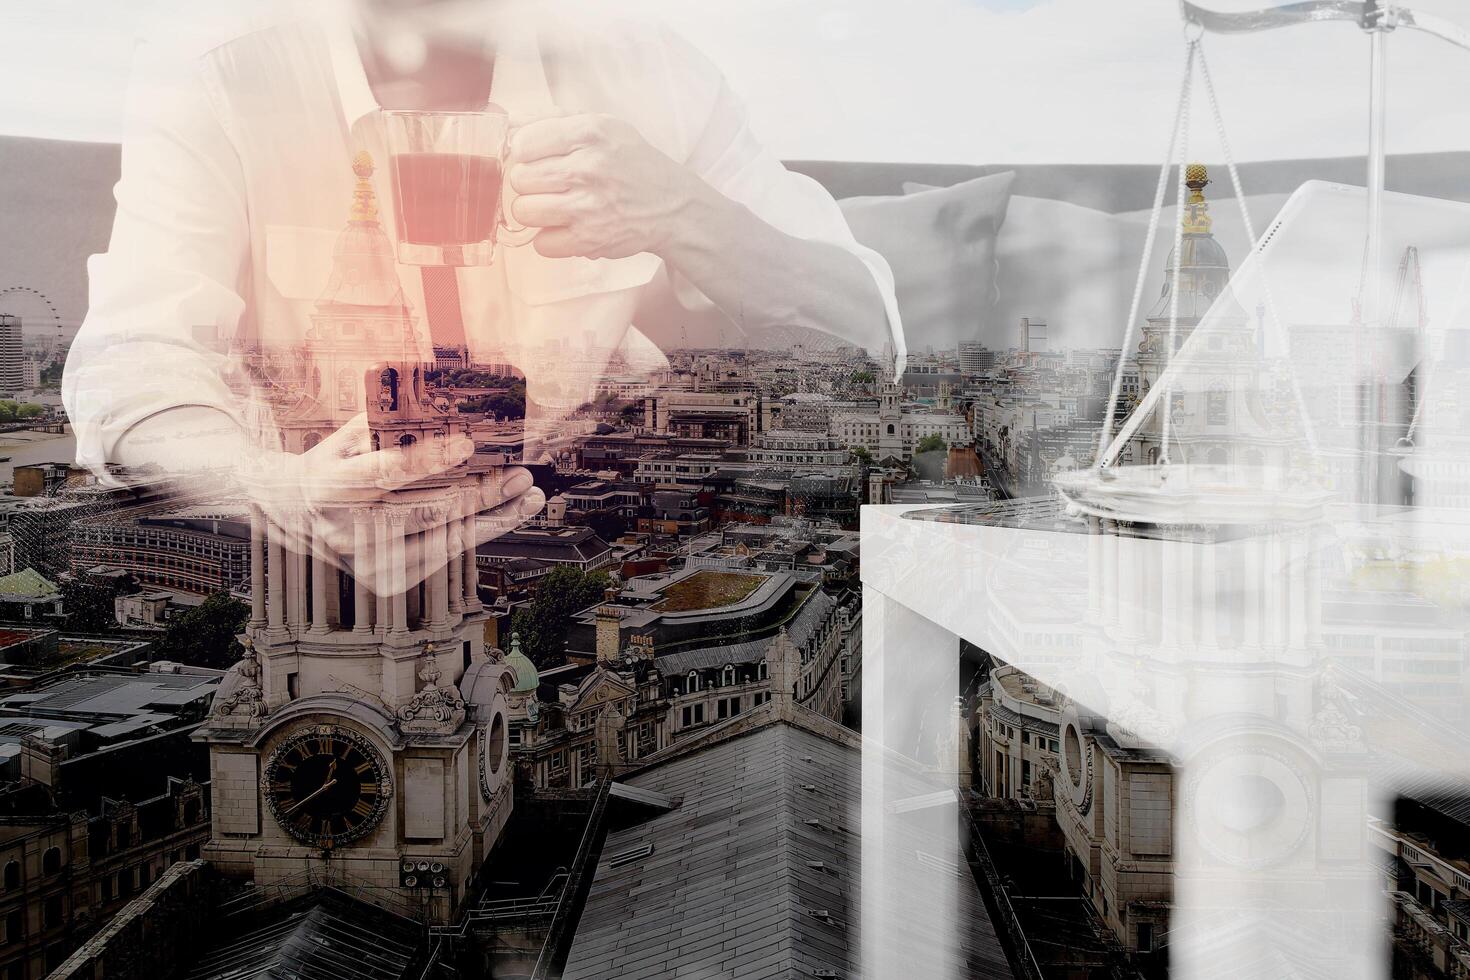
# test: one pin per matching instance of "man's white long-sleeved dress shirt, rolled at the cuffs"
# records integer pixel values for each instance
(237, 179)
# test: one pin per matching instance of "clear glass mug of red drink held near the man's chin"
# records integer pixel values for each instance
(446, 171)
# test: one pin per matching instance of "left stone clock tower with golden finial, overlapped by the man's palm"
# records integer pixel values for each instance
(361, 740)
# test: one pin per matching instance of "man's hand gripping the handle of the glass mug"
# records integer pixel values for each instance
(596, 189)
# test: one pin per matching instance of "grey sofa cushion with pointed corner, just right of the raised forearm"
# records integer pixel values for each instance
(942, 248)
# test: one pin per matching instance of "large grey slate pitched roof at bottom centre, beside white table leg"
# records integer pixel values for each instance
(728, 888)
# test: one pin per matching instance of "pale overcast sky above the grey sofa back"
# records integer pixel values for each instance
(958, 82)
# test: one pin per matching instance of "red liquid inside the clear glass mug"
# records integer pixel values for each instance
(446, 199)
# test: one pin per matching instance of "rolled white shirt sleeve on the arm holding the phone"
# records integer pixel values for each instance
(171, 281)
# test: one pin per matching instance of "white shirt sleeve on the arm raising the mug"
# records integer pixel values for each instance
(728, 156)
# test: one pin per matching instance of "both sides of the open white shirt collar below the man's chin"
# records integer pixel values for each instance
(520, 84)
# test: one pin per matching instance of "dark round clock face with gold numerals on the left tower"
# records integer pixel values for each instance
(327, 787)
